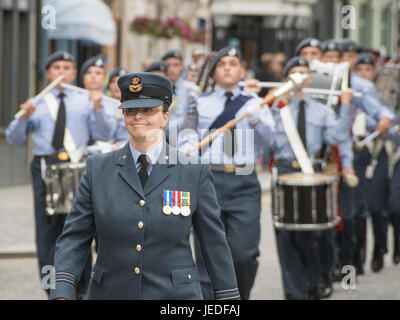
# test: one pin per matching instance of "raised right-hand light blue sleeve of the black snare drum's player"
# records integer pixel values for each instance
(337, 130)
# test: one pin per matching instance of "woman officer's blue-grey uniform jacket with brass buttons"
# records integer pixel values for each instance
(142, 252)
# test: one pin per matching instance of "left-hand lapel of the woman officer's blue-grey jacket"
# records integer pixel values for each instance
(127, 170)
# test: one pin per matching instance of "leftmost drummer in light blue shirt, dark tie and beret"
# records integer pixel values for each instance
(74, 113)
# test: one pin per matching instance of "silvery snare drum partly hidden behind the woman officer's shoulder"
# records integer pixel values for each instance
(62, 181)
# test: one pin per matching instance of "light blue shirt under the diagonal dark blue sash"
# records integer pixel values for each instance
(251, 141)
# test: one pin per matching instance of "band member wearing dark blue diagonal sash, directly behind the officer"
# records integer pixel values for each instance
(236, 183)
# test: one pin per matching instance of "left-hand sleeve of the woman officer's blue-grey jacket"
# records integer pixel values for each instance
(73, 245)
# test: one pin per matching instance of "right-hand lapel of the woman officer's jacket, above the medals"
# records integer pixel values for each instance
(160, 171)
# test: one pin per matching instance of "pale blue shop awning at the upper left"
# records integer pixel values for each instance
(82, 20)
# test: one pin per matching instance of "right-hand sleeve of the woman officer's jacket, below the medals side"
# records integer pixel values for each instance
(210, 232)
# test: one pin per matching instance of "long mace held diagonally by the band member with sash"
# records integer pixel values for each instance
(296, 80)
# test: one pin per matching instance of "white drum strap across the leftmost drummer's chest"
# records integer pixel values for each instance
(75, 154)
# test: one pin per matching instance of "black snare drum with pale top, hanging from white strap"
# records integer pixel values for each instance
(305, 202)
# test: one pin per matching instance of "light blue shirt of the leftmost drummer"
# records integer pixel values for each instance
(81, 120)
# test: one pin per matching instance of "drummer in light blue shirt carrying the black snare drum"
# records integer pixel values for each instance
(299, 251)
